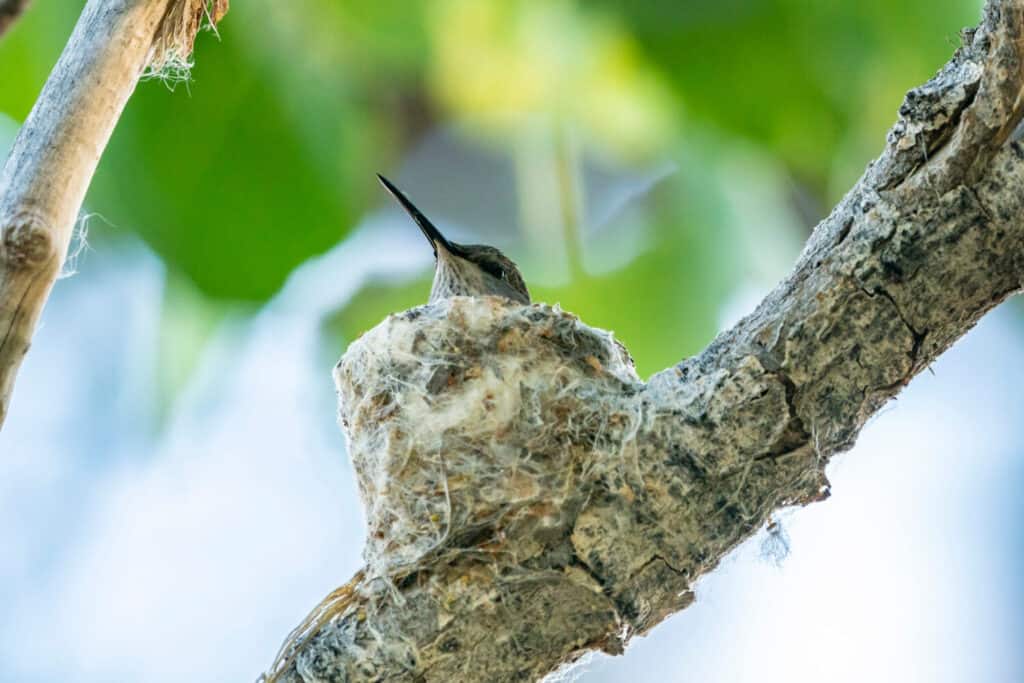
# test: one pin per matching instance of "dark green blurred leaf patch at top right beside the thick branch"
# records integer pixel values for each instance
(798, 76)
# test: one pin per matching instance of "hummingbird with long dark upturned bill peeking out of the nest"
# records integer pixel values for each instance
(464, 270)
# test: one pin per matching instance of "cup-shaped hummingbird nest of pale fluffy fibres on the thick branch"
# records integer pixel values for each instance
(471, 422)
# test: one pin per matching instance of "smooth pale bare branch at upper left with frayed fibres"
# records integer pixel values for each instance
(52, 163)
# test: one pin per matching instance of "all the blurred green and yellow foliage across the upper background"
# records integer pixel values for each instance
(267, 156)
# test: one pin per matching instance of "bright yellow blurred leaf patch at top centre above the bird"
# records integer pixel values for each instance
(498, 64)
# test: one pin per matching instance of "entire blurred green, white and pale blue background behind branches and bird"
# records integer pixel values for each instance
(175, 492)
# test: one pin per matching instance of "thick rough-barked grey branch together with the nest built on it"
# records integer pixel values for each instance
(531, 500)
